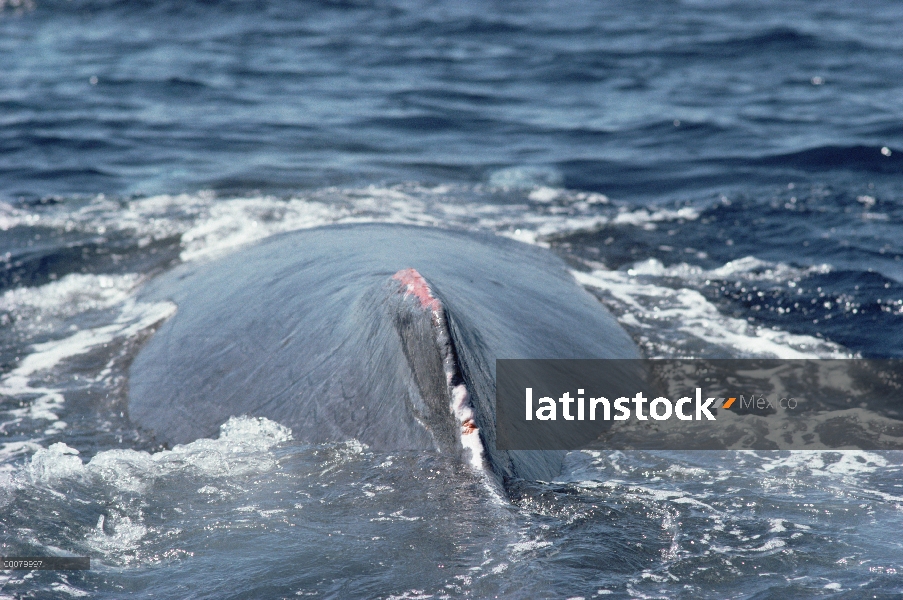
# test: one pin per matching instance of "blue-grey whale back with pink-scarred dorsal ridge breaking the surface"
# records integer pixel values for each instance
(386, 334)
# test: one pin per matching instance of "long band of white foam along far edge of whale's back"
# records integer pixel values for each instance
(209, 226)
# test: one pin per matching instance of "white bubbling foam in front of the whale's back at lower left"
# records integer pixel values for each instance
(244, 448)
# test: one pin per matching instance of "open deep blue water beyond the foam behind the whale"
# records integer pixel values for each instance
(645, 100)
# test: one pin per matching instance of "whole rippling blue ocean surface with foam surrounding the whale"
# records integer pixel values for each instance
(726, 177)
